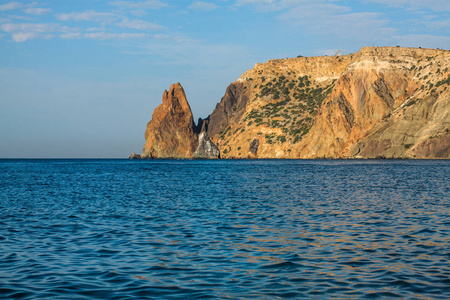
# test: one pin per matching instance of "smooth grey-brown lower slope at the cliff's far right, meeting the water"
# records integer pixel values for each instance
(418, 132)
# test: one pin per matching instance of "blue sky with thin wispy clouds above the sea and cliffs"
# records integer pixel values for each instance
(81, 78)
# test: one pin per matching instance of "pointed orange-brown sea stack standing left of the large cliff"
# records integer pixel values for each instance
(171, 133)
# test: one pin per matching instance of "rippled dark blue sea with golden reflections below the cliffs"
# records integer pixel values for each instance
(263, 229)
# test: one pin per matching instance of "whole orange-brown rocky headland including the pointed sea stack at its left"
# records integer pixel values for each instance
(381, 102)
